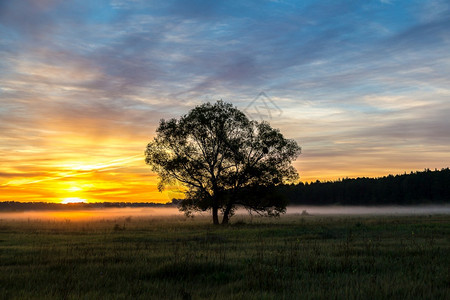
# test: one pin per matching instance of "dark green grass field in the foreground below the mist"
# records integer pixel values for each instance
(295, 257)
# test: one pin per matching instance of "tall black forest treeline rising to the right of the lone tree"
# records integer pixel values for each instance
(414, 188)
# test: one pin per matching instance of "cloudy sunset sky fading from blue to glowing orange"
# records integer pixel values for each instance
(362, 86)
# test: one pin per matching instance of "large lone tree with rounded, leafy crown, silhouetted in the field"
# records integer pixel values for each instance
(224, 160)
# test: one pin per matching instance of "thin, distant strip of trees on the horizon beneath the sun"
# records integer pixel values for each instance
(26, 206)
